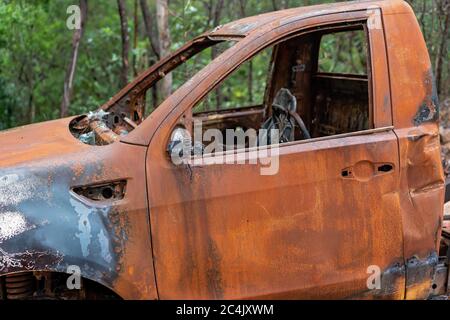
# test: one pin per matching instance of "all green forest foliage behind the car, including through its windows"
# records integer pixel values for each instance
(35, 47)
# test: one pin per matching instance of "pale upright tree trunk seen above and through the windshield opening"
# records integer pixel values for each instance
(162, 19)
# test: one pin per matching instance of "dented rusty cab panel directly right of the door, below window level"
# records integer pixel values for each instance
(422, 198)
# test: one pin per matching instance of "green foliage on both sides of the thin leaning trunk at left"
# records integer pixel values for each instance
(35, 45)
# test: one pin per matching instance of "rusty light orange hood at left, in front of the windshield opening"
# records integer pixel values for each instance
(37, 141)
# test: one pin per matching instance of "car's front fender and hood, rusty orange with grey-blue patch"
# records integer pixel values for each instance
(42, 173)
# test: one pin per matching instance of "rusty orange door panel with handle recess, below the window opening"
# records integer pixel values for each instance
(306, 232)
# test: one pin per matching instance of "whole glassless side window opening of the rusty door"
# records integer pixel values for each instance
(309, 86)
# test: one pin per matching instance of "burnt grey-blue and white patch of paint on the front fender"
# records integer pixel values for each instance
(44, 227)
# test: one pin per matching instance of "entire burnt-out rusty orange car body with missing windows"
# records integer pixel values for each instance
(145, 228)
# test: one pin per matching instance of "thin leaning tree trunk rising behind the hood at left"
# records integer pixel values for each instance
(71, 67)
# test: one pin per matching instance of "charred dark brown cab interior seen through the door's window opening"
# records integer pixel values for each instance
(326, 101)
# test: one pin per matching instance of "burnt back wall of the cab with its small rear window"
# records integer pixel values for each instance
(341, 84)
